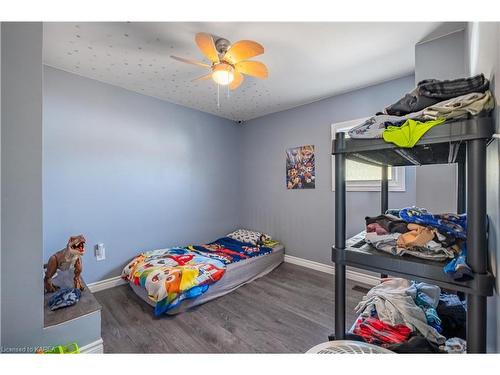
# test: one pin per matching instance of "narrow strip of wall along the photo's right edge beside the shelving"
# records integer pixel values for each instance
(484, 57)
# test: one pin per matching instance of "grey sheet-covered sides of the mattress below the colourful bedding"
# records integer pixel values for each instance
(237, 274)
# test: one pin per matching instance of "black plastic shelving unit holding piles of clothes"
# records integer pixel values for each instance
(463, 142)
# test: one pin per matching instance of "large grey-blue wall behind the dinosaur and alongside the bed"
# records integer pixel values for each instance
(133, 172)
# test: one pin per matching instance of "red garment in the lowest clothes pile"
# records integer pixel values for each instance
(372, 330)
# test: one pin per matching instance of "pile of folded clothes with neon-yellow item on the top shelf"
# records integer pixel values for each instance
(431, 103)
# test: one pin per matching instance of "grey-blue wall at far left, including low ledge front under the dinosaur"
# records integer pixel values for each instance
(21, 199)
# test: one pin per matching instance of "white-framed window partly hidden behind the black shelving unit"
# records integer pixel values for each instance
(364, 177)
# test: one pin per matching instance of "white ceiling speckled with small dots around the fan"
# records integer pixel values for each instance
(306, 61)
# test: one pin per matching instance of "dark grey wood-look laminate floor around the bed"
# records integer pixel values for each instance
(287, 311)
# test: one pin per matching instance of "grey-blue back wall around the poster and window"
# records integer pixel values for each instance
(304, 219)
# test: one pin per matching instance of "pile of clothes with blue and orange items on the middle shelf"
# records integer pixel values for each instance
(415, 231)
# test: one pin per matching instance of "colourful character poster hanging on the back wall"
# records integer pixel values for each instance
(300, 169)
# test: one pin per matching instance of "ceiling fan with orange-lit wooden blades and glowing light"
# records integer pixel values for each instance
(229, 61)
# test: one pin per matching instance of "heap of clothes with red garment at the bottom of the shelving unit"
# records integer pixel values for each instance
(408, 317)
